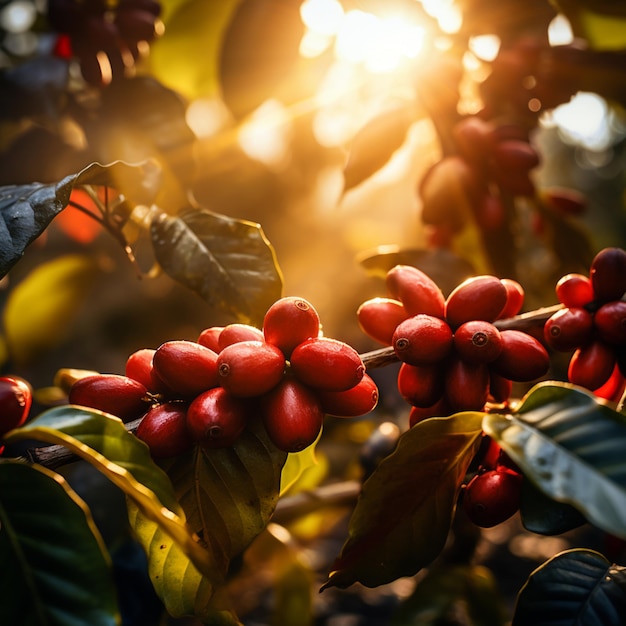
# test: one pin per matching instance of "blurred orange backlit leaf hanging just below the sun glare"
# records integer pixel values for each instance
(376, 142)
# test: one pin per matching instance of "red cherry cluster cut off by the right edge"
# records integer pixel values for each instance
(592, 325)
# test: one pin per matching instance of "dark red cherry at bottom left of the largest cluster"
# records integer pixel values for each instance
(164, 429)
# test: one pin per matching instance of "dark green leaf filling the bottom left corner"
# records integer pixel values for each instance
(57, 571)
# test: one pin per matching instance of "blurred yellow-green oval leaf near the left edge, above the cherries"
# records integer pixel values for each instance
(39, 310)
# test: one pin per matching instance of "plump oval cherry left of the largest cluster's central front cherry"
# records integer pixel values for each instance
(186, 367)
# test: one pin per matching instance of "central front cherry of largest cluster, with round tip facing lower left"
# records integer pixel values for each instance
(250, 368)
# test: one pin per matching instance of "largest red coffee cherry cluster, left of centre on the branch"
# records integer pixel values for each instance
(205, 392)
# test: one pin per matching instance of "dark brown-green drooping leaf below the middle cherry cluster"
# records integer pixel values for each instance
(403, 515)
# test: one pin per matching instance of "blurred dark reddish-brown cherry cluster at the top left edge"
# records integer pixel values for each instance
(108, 37)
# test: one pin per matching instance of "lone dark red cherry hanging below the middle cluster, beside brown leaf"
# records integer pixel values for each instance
(492, 497)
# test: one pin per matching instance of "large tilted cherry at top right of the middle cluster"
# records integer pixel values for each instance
(477, 298)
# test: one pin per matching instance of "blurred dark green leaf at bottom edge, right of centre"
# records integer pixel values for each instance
(470, 589)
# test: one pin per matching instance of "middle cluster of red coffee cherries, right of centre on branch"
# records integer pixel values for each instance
(453, 356)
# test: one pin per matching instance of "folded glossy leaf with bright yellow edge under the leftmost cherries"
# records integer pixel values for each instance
(103, 441)
